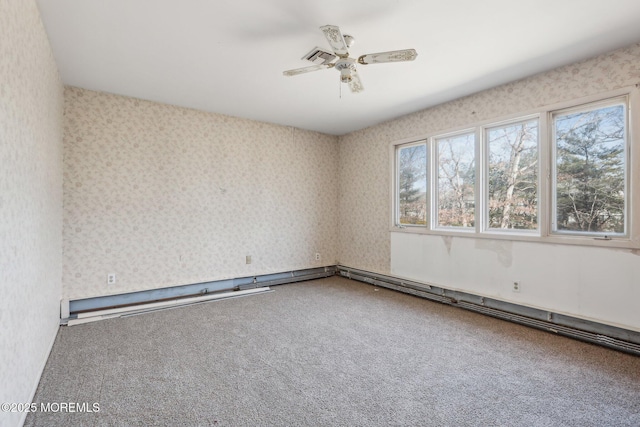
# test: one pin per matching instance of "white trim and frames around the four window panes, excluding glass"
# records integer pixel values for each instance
(545, 211)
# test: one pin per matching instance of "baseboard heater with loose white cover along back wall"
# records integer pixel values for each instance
(91, 309)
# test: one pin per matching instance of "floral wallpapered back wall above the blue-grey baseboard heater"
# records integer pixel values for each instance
(163, 196)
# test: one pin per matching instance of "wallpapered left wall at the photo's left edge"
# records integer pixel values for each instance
(30, 201)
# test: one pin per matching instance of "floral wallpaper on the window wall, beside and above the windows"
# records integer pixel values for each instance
(365, 174)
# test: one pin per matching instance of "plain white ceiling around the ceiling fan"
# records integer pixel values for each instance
(227, 56)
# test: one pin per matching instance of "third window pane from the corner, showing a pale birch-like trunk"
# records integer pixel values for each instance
(513, 176)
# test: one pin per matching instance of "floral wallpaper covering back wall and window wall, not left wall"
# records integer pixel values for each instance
(163, 196)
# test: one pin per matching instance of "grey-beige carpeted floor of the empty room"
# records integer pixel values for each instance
(332, 352)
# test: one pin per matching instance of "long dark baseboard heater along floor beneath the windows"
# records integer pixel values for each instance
(585, 330)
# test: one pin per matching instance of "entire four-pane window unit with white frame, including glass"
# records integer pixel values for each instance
(553, 175)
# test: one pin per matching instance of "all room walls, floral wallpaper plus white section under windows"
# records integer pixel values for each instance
(94, 183)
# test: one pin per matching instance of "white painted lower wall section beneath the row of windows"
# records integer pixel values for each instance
(593, 283)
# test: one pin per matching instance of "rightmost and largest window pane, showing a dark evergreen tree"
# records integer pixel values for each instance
(590, 170)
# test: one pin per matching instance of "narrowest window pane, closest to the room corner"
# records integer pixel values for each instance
(412, 185)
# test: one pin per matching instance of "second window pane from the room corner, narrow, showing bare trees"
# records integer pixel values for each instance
(456, 181)
